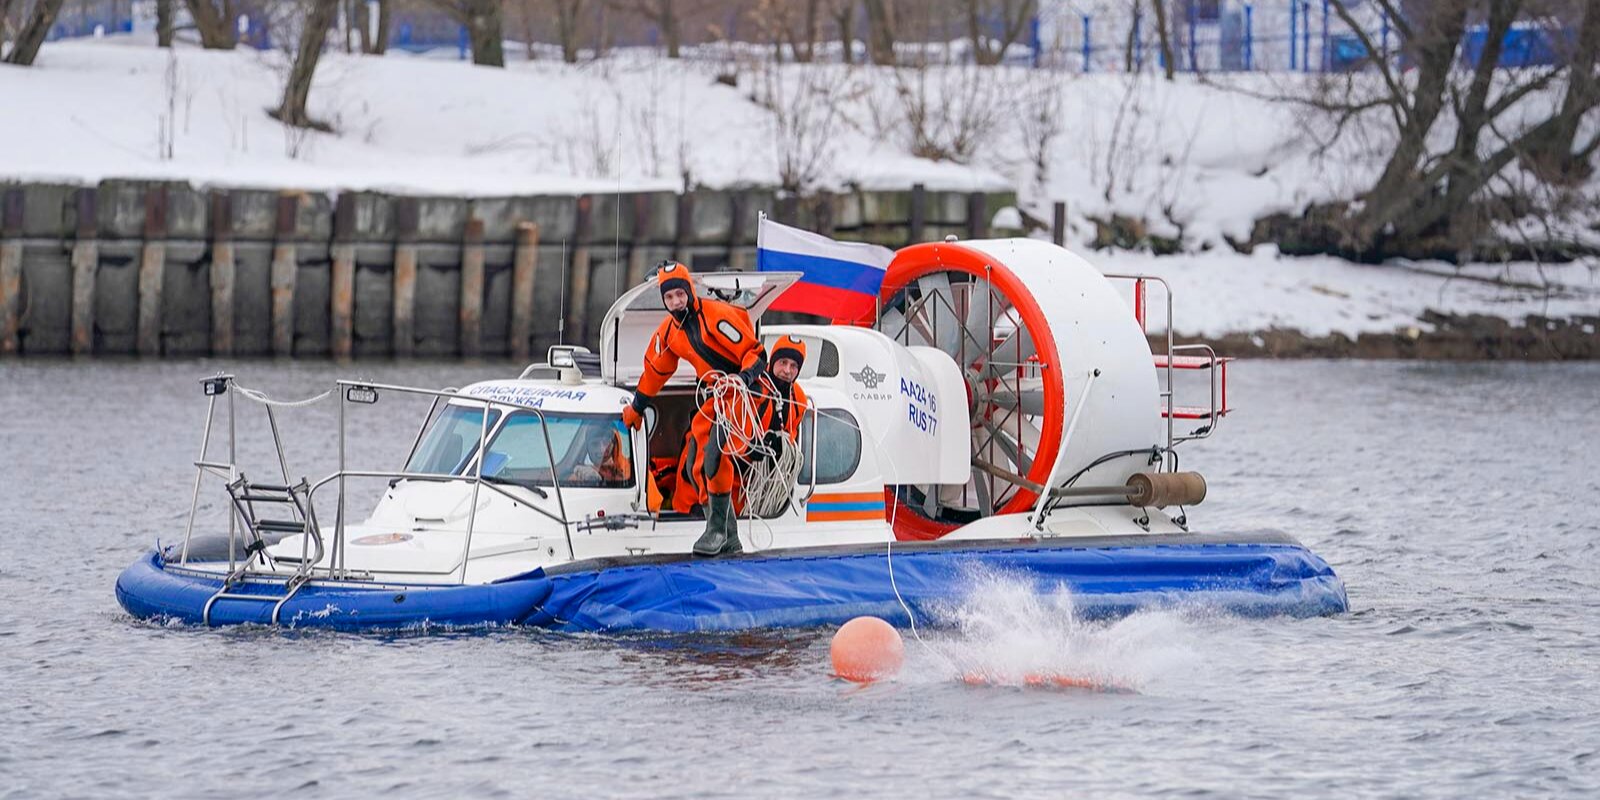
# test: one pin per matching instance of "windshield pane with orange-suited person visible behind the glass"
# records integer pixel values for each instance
(591, 452)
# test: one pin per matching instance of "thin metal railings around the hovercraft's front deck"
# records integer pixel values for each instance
(337, 567)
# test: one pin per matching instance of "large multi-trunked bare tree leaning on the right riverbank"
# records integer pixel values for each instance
(1450, 134)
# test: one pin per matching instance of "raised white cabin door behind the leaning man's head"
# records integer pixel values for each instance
(639, 311)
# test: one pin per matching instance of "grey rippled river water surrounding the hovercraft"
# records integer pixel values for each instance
(1457, 502)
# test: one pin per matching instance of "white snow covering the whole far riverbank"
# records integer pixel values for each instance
(1191, 158)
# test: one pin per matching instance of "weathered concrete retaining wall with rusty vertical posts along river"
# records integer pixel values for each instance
(170, 270)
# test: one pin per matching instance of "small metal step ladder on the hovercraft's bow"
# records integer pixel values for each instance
(262, 534)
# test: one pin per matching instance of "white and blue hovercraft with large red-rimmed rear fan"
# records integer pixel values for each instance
(1004, 415)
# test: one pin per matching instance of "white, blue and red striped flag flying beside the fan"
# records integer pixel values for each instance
(841, 279)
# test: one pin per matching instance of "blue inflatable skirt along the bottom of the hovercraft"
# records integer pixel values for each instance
(1257, 575)
